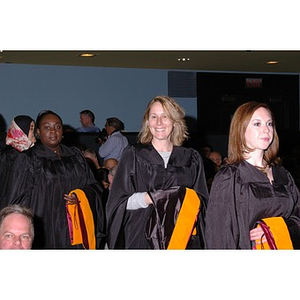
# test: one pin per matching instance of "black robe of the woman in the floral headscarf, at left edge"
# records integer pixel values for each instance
(8, 156)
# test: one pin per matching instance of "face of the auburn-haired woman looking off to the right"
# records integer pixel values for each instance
(259, 133)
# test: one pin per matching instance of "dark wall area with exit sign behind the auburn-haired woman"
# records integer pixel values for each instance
(219, 95)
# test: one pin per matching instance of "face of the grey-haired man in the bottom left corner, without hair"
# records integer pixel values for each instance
(15, 232)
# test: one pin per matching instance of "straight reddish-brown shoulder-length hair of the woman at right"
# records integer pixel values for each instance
(237, 143)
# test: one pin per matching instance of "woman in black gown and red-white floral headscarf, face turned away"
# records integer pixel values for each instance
(20, 137)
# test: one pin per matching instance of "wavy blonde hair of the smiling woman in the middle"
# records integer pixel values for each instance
(174, 112)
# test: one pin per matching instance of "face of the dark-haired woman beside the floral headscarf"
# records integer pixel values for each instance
(50, 131)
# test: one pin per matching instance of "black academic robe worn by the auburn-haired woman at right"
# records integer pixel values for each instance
(240, 196)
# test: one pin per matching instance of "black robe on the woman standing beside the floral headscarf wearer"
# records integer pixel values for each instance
(40, 179)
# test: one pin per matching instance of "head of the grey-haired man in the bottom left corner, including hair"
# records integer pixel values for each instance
(16, 227)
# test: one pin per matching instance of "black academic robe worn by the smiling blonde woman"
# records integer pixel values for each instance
(141, 169)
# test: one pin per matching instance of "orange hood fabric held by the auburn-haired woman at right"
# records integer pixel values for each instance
(280, 234)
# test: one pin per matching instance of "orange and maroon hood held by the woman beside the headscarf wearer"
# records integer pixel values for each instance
(82, 229)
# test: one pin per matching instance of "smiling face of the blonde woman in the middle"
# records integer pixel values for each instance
(160, 124)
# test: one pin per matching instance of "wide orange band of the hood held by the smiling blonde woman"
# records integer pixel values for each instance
(185, 221)
